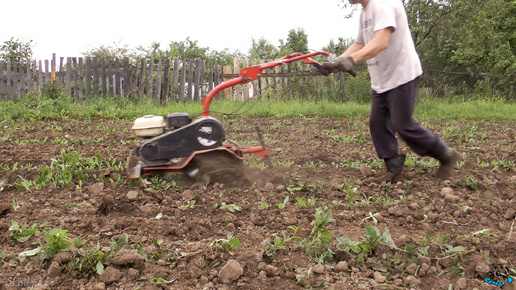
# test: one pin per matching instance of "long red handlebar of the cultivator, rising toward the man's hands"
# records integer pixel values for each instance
(252, 73)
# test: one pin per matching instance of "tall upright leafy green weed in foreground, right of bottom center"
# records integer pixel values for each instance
(316, 244)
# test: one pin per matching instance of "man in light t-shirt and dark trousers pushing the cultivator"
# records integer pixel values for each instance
(384, 42)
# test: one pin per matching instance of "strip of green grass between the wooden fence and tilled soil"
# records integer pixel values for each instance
(62, 107)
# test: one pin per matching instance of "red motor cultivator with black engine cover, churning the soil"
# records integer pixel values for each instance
(178, 144)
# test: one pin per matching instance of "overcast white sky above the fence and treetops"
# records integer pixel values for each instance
(70, 27)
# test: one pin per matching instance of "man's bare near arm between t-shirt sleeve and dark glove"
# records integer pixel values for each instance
(360, 52)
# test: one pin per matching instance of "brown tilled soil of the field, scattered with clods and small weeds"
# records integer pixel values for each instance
(171, 233)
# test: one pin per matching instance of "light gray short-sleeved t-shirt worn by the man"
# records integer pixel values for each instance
(399, 63)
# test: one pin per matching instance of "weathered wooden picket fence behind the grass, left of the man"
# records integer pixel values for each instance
(168, 81)
